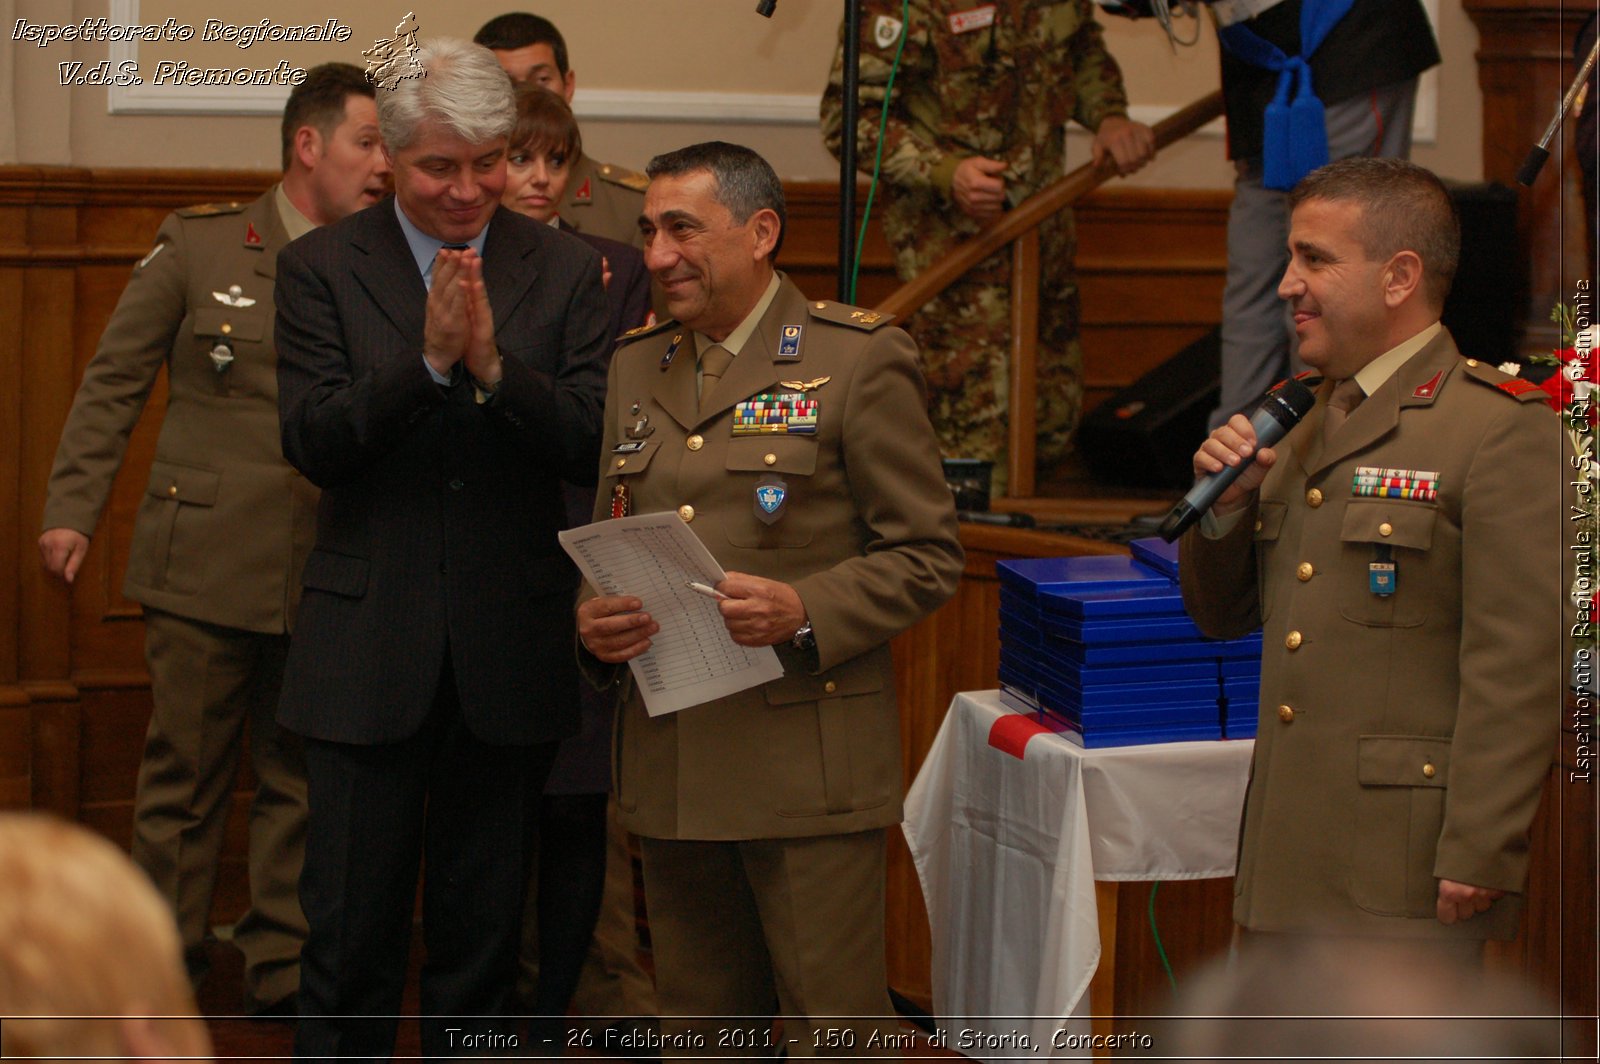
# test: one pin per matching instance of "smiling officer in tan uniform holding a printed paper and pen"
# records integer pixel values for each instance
(762, 814)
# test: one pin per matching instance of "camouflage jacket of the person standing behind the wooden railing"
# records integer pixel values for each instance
(998, 81)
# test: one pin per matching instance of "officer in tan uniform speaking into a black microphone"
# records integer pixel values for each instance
(1412, 673)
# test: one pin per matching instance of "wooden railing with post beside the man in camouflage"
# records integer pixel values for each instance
(1020, 230)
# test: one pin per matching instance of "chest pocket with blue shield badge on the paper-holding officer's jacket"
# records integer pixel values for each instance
(775, 476)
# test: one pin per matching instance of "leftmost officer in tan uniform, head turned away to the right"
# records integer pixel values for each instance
(225, 526)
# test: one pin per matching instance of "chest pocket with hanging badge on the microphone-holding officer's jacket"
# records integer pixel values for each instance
(1386, 548)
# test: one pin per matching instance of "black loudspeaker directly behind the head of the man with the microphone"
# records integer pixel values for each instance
(1490, 289)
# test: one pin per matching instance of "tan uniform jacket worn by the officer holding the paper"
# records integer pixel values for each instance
(866, 535)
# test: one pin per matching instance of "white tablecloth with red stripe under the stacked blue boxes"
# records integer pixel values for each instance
(1009, 850)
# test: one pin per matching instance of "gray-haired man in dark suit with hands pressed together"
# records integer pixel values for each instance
(441, 372)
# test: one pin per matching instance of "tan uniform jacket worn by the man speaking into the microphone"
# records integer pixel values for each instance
(1402, 738)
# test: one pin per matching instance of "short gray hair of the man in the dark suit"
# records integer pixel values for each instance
(463, 87)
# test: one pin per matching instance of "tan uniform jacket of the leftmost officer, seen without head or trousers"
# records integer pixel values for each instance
(226, 524)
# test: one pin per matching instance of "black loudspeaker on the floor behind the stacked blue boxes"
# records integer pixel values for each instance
(1146, 434)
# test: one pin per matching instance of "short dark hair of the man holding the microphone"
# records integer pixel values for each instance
(1404, 209)
